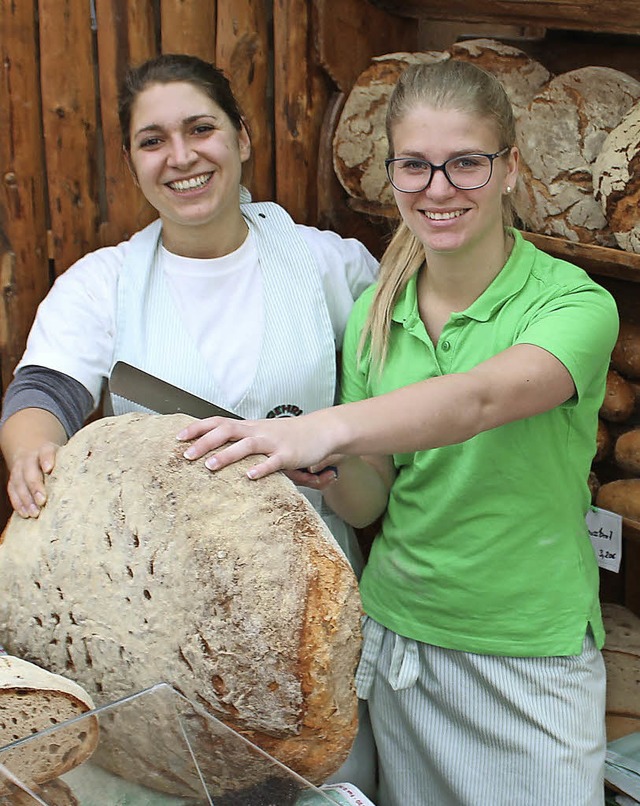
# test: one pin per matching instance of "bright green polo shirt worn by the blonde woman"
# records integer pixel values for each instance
(484, 545)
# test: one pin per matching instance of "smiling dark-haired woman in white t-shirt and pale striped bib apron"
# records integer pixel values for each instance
(228, 299)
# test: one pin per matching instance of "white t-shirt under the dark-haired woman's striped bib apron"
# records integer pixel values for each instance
(220, 298)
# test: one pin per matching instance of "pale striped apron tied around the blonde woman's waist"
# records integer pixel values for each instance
(459, 729)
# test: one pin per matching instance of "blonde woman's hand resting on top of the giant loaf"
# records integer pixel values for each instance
(289, 443)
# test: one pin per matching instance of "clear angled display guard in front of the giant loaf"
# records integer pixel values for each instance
(155, 748)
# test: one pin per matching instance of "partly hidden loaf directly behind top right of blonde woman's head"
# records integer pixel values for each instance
(521, 75)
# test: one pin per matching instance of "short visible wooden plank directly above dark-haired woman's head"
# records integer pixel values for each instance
(189, 27)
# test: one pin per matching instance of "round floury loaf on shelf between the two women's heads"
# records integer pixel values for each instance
(360, 144)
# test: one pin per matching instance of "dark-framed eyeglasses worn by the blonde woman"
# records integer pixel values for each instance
(466, 172)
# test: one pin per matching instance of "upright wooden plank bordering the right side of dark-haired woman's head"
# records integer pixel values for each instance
(242, 51)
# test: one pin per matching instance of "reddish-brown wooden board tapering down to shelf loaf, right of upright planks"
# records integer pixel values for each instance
(340, 32)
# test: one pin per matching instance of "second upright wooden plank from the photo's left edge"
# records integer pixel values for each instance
(70, 131)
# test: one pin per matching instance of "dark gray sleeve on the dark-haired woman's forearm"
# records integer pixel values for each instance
(41, 388)
